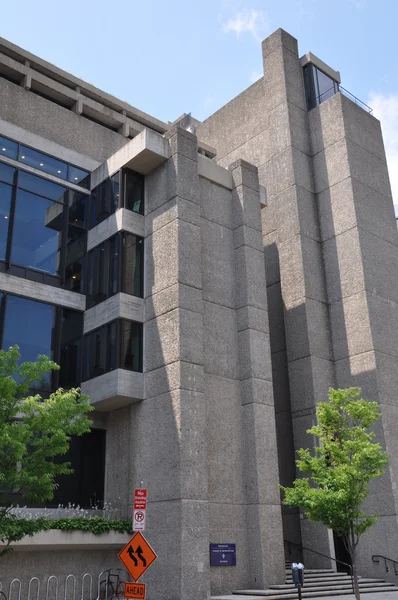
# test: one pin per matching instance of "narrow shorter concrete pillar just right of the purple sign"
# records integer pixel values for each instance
(264, 522)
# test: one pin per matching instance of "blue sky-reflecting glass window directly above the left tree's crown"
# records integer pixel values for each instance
(29, 324)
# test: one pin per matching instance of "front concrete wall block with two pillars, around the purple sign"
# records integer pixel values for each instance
(203, 440)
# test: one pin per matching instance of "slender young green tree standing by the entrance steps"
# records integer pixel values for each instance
(337, 473)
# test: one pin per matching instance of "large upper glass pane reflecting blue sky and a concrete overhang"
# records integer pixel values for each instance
(37, 229)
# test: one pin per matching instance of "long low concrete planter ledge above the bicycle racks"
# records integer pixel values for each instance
(55, 539)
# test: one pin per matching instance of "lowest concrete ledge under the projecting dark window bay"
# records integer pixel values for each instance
(114, 390)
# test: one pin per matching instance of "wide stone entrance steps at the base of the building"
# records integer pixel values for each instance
(317, 583)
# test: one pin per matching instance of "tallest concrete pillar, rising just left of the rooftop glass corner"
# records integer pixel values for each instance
(291, 210)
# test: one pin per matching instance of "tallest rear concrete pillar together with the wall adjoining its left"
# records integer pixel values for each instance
(275, 137)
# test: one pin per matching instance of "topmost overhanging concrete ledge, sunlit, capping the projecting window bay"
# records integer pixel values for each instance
(143, 153)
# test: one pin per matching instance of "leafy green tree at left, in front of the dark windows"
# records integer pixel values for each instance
(34, 433)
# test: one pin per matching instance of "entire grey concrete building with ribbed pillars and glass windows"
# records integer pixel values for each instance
(207, 283)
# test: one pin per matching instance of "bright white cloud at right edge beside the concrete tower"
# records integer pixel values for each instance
(385, 108)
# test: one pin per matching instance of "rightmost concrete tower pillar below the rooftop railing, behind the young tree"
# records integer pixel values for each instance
(360, 250)
